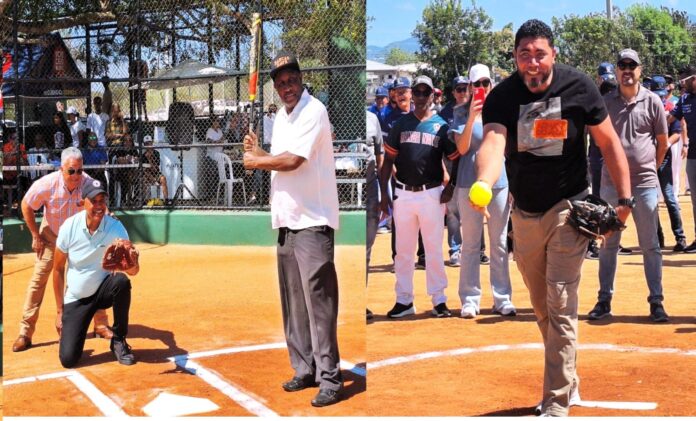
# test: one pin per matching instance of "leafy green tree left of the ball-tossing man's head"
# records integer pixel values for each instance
(452, 38)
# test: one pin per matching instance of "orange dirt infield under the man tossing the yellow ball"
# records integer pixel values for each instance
(493, 365)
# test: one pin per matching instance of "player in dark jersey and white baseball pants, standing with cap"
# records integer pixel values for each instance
(416, 146)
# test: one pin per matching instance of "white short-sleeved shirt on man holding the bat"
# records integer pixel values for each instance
(307, 196)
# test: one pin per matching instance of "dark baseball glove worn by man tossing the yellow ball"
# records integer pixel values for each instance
(593, 217)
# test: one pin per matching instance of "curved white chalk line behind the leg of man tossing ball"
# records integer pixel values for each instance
(495, 348)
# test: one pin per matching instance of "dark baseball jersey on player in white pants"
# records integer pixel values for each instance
(419, 147)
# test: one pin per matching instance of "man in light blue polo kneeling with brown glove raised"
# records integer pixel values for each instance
(82, 241)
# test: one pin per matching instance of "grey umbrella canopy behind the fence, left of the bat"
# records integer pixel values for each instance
(189, 73)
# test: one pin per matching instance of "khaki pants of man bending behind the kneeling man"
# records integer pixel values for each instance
(37, 286)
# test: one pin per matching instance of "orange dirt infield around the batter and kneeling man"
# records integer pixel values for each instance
(217, 308)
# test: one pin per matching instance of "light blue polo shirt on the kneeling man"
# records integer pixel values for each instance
(85, 253)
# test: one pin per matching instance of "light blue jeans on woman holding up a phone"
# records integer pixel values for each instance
(472, 226)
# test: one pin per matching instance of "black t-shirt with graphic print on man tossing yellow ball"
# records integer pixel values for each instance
(542, 172)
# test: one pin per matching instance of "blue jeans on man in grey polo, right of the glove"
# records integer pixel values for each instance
(645, 217)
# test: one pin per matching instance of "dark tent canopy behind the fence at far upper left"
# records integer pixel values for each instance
(46, 58)
